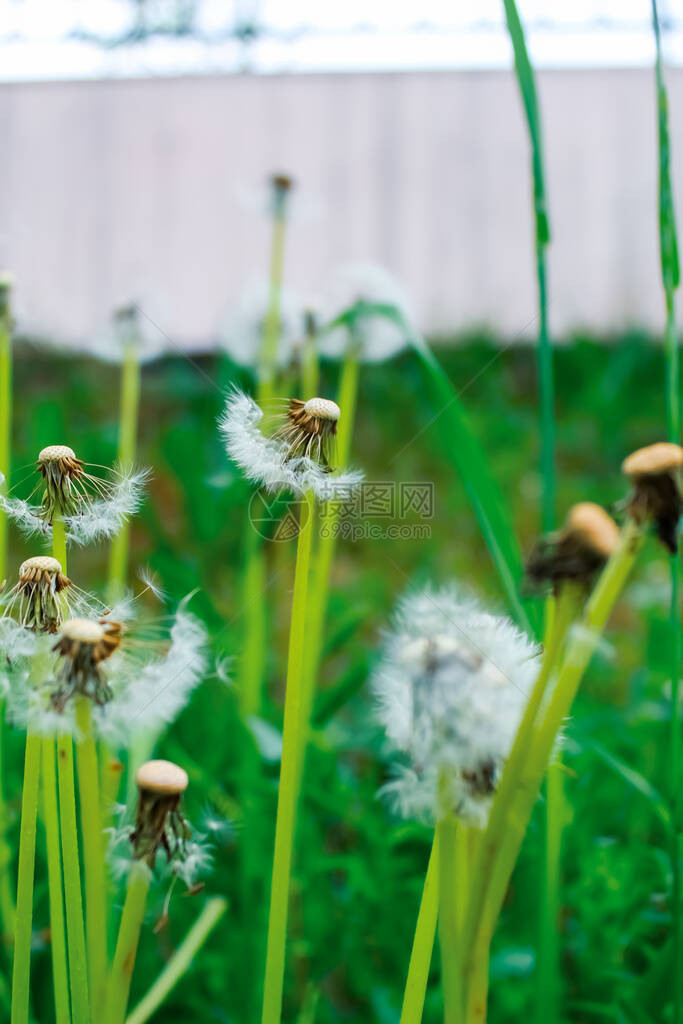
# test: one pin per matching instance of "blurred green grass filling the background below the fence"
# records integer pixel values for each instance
(359, 874)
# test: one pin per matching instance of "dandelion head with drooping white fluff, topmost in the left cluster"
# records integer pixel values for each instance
(93, 508)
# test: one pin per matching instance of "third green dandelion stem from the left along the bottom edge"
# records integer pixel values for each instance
(78, 964)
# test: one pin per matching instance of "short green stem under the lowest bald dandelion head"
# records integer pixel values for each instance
(126, 948)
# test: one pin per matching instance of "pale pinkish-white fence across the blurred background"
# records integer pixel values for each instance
(141, 189)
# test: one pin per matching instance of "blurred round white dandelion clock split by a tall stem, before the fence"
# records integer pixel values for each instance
(244, 327)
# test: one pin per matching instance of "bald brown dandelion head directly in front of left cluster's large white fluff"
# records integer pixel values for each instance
(83, 646)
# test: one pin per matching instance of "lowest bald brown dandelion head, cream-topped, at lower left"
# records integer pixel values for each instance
(160, 823)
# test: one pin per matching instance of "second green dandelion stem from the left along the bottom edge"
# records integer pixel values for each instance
(56, 886)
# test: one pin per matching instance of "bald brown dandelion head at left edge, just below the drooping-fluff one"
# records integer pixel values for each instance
(40, 599)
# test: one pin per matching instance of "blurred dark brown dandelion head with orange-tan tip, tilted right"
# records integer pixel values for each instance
(577, 552)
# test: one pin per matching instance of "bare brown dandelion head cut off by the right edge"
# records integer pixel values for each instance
(654, 472)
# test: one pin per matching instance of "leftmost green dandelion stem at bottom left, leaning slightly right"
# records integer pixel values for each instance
(27, 861)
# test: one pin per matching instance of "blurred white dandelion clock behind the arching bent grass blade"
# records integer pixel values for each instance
(378, 337)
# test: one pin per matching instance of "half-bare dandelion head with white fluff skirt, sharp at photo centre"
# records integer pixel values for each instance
(295, 457)
